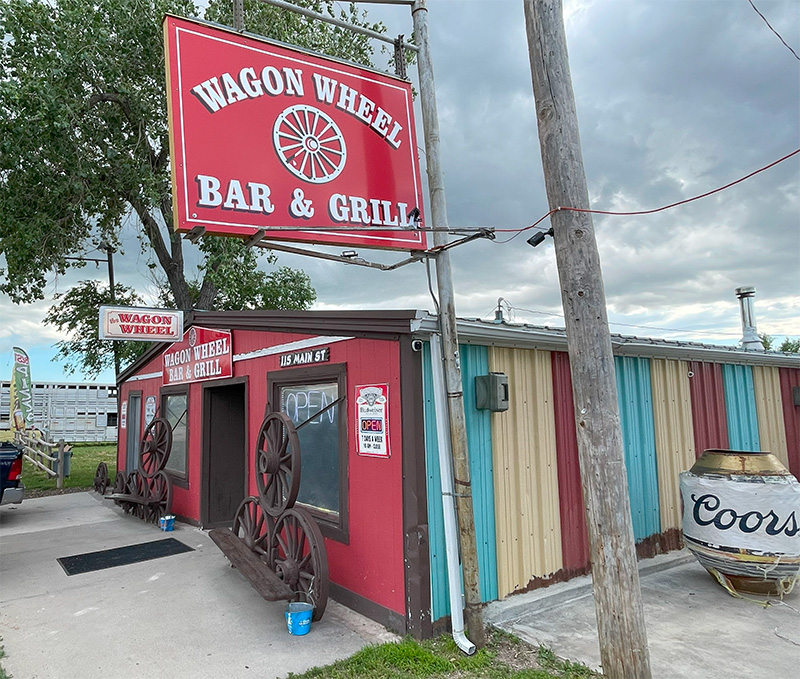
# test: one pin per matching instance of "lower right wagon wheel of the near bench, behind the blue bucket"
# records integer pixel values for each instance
(298, 557)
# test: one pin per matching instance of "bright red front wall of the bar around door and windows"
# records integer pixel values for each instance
(372, 564)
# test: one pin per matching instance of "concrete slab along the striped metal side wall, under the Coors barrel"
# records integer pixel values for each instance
(695, 629)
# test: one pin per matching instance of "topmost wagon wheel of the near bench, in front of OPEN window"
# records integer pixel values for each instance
(277, 464)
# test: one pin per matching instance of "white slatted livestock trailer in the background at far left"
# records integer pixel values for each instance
(73, 412)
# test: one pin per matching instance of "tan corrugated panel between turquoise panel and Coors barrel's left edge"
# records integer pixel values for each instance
(672, 418)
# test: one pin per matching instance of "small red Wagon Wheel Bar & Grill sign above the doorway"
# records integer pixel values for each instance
(204, 354)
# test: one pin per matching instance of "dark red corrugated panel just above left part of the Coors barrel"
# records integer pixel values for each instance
(709, 416)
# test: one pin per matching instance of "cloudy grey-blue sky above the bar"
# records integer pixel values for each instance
(675, 98)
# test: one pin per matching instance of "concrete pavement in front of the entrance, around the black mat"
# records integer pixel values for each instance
(188, 615)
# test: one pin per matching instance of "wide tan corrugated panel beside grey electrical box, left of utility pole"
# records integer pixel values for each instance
(525, 471)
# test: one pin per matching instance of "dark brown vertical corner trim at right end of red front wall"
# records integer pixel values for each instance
(415, 500)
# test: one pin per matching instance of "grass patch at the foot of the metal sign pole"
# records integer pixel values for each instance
(505, 657)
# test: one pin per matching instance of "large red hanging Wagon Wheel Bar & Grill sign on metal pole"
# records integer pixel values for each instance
(264, 136)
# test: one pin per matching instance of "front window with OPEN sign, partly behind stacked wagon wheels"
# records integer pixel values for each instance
(313, 400)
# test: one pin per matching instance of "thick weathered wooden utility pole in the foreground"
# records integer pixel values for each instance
(618, 599)
